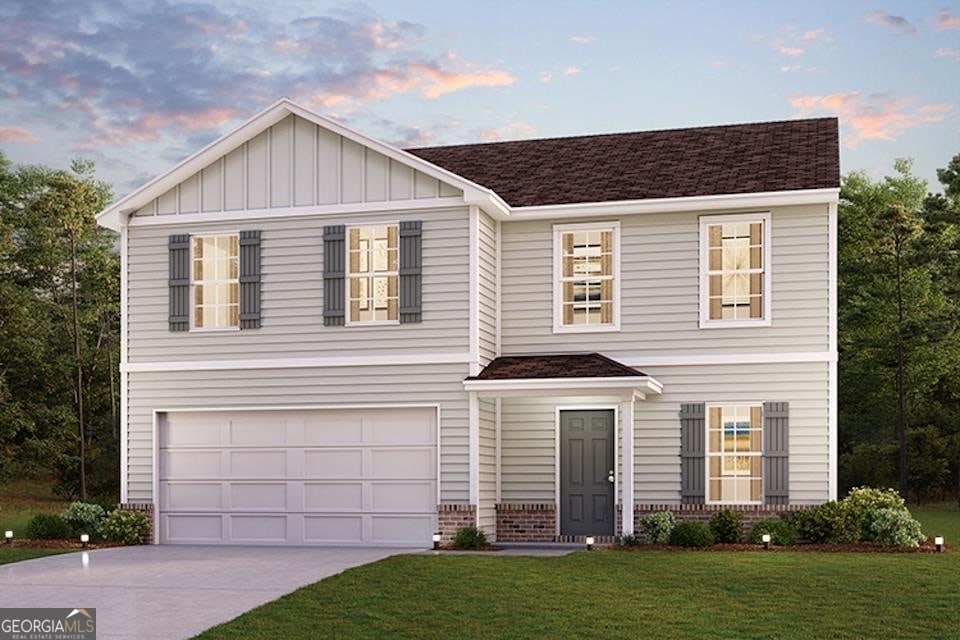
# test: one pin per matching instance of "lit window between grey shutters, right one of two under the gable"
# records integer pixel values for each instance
(373, 279)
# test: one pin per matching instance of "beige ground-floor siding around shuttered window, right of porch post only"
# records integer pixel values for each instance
(657, 423)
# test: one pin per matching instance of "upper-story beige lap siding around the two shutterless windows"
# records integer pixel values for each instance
(659, 286)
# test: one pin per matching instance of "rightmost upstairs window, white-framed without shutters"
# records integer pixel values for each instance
(735, 276)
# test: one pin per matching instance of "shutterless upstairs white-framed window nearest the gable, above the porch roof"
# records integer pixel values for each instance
(586, 277)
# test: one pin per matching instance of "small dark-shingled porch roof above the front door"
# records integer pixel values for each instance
(589, 365)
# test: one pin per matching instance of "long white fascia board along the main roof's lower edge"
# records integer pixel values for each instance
(676, 205)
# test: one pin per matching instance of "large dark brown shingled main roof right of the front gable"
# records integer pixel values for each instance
(734, 159)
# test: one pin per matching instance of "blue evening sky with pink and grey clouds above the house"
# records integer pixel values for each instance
(137, 86)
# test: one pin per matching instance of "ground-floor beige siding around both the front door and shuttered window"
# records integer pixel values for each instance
(528, 429)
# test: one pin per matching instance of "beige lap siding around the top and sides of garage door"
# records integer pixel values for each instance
(298, 388)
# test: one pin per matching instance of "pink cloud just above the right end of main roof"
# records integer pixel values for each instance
(873, 117)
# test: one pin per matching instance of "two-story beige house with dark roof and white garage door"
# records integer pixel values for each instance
(329, 340)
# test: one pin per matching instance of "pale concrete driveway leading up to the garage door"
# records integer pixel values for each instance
(172, 591)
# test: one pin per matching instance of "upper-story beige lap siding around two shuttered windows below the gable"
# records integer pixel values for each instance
(292, 294)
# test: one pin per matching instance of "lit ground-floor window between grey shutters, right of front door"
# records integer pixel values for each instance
(734, 453)
